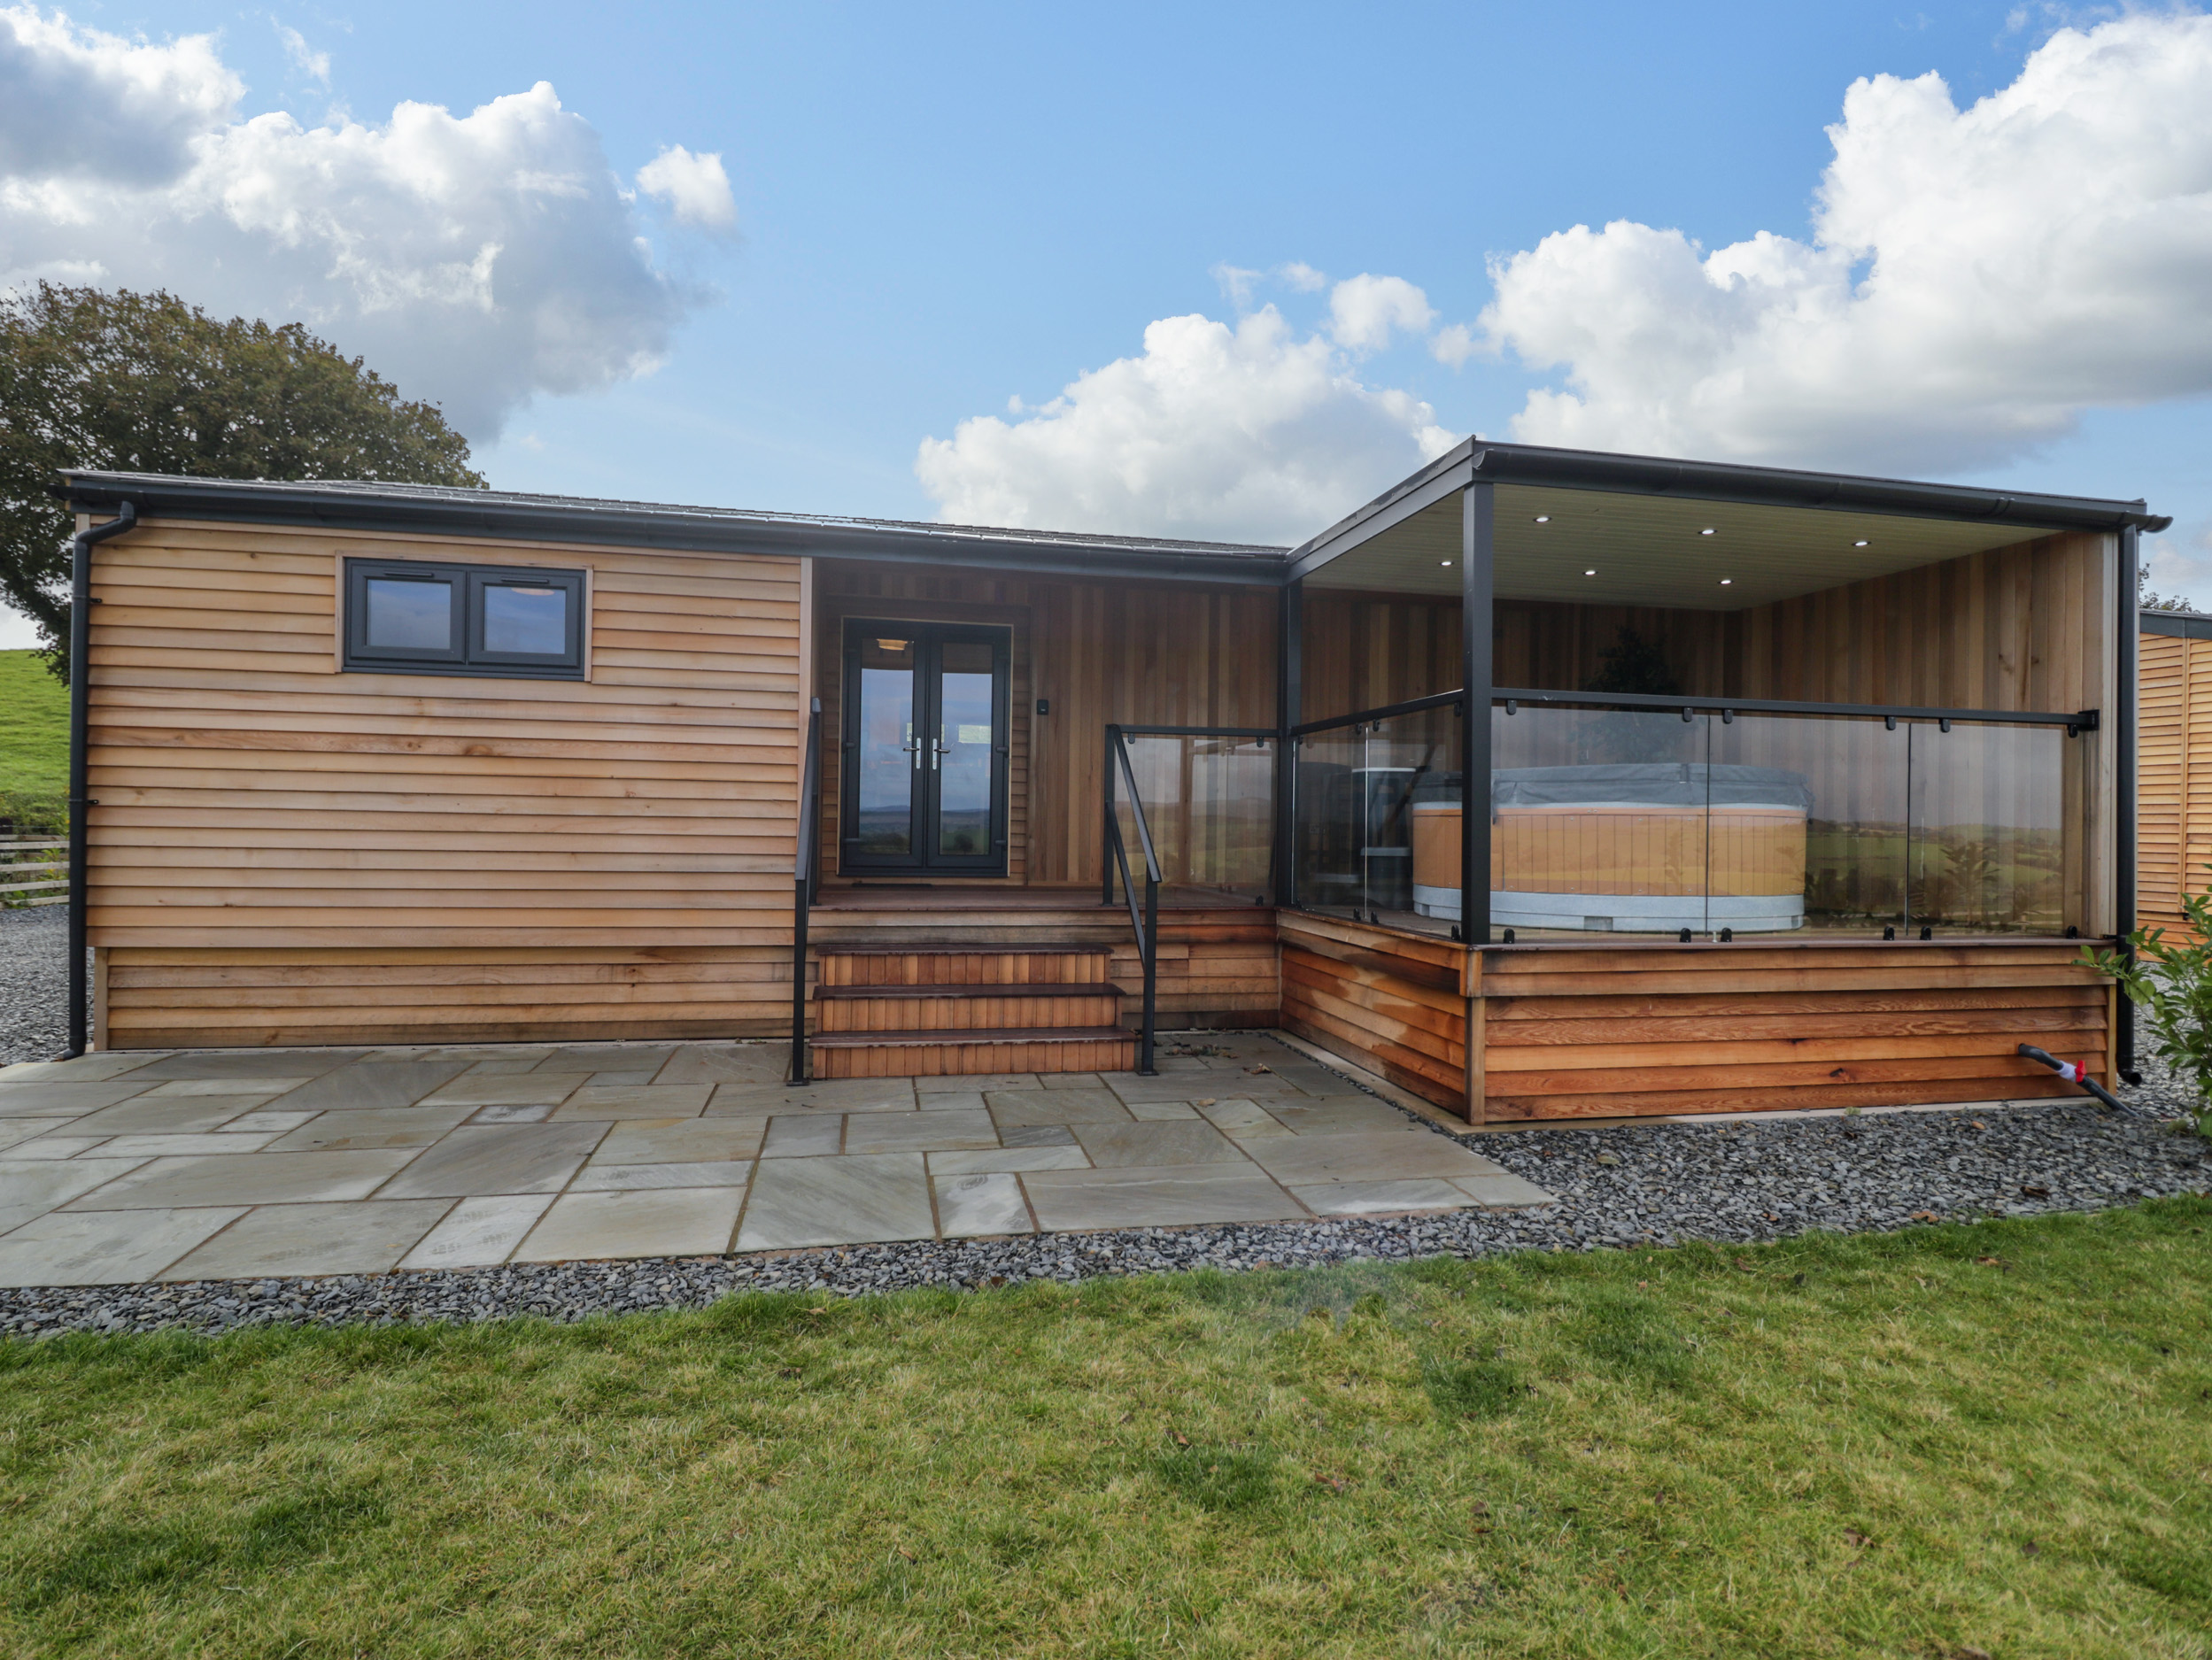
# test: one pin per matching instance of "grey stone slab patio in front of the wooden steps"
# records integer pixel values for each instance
(251, 1164)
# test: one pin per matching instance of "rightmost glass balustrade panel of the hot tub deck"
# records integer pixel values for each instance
(1987, 828)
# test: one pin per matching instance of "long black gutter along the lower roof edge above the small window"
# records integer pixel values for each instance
(678, 529)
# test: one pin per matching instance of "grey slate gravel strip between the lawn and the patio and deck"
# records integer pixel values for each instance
(1627, 1186)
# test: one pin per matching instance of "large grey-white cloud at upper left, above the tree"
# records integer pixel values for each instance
(474, 260)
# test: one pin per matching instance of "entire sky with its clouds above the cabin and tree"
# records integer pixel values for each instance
(1193, 271)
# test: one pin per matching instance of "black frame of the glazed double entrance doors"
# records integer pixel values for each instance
(928, 640)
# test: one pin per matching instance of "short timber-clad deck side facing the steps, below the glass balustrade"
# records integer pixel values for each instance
(1386, 1000)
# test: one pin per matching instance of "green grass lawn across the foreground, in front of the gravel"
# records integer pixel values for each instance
(1965, 1440)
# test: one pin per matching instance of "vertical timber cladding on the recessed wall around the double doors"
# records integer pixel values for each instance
(1094, 651)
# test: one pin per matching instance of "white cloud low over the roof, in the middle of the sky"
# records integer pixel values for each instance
(1242, 434)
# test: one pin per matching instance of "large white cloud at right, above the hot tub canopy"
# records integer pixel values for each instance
(1976, 280)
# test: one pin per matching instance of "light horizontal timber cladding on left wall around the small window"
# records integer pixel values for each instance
(286, 854)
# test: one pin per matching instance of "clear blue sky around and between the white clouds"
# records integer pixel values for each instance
(939, 211)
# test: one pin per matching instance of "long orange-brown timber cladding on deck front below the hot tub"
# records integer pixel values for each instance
(1726, 1029)
